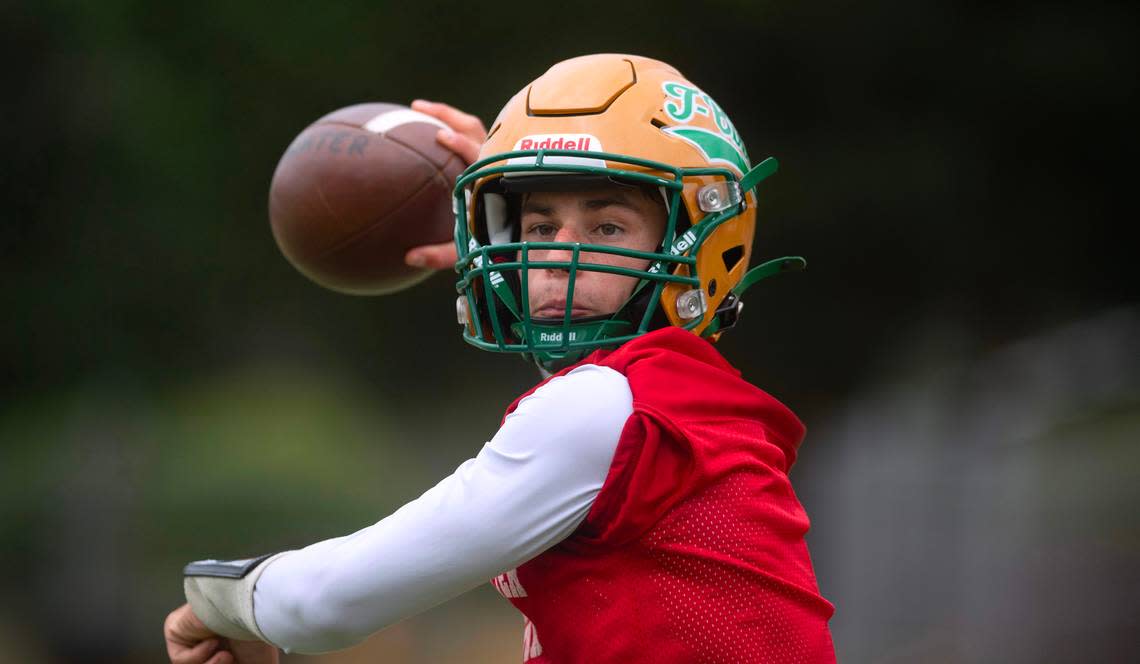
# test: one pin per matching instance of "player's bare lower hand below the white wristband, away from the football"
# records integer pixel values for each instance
(190, 642)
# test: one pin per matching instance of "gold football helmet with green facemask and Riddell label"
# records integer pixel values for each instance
(618, 119)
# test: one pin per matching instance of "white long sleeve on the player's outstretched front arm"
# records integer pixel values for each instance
(528, 489)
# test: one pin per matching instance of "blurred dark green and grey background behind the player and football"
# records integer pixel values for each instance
(963, 347)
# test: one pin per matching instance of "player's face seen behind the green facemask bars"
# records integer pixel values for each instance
(623, 217)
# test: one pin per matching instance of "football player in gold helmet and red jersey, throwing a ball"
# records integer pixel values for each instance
(636, 506)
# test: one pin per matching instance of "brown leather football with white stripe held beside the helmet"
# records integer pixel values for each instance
(356, 190)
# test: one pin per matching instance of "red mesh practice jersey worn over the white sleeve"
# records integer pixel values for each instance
(695, 549)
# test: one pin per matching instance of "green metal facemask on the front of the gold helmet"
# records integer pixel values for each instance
(493, 284)
